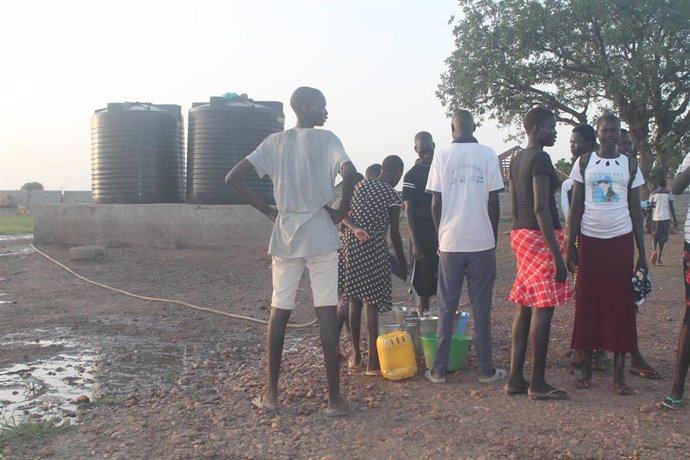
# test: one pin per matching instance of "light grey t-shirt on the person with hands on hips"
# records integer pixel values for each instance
(303, 164)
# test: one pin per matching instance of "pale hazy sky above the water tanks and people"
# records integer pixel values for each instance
(378, 62)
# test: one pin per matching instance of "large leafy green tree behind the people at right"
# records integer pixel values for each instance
(578, 57)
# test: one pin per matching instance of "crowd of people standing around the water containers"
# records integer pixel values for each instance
(451, 202)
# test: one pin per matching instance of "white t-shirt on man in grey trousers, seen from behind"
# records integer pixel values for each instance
(464, 174)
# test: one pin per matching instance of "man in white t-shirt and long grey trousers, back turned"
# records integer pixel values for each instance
(465, 179)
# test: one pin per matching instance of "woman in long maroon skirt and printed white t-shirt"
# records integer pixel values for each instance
(607, 215)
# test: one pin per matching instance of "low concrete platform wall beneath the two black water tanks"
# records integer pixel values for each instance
(157, 225)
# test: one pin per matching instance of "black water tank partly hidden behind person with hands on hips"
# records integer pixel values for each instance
(221, 133)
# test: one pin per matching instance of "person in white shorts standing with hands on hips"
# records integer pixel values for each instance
(302, 162)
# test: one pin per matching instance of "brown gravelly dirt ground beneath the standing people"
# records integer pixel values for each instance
(170, 382)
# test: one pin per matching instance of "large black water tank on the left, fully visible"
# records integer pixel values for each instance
(137, 154)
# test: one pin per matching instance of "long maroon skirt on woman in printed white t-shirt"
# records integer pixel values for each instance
(604, 305)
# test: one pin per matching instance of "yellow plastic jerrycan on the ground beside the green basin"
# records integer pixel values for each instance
(396, 355)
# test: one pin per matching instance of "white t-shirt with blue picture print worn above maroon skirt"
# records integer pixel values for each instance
(606, 196)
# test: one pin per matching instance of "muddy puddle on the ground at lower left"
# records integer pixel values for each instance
(49, 375)
